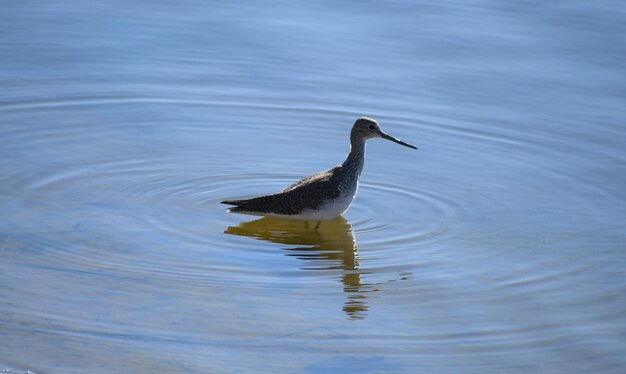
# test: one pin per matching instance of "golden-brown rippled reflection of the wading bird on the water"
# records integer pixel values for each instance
(331, 246)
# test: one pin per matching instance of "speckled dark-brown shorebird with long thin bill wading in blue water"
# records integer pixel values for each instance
(322, 196)
